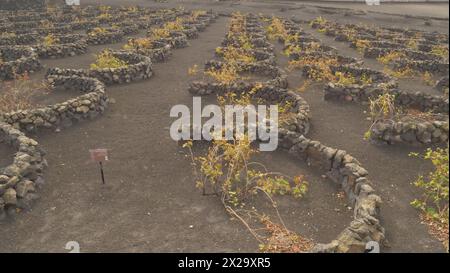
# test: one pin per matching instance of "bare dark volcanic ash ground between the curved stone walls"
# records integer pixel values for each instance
(150, 202)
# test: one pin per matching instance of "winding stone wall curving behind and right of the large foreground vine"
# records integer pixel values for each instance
(340, 166)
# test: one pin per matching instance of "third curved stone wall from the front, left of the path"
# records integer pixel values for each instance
(139, 67)
